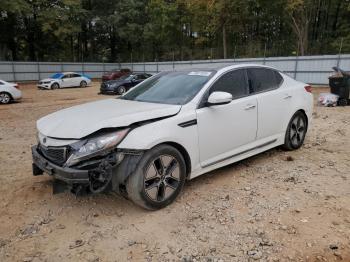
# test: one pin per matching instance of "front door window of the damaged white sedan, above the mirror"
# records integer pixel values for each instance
(233, 82)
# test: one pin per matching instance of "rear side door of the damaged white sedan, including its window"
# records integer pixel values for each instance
(274, 101)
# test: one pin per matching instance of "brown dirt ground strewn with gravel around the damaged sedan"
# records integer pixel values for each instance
(277, 206)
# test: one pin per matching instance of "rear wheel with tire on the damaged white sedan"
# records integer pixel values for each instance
(296, 132)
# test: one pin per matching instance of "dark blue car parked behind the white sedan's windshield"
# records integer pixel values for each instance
(123, 84)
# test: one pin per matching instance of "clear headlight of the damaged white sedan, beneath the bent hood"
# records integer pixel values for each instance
(94, 146)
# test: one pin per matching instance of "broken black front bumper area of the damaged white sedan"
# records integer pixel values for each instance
(109, 172)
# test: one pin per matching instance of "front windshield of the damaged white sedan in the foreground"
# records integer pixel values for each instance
(176, 88)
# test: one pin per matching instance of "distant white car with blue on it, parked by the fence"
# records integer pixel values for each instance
(62, 80)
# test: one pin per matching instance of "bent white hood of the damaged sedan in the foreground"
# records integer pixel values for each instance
(82, 120)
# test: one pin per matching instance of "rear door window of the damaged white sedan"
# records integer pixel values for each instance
(262, 79)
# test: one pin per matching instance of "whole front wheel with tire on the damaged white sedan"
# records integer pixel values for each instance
(158, 178)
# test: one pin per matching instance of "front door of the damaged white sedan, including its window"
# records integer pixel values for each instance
(223, 129)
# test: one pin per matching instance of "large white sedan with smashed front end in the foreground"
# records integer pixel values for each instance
(172, 127)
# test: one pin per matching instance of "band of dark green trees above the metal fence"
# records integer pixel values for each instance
(136, 30)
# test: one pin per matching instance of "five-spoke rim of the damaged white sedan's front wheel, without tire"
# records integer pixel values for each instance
(162, 178)
